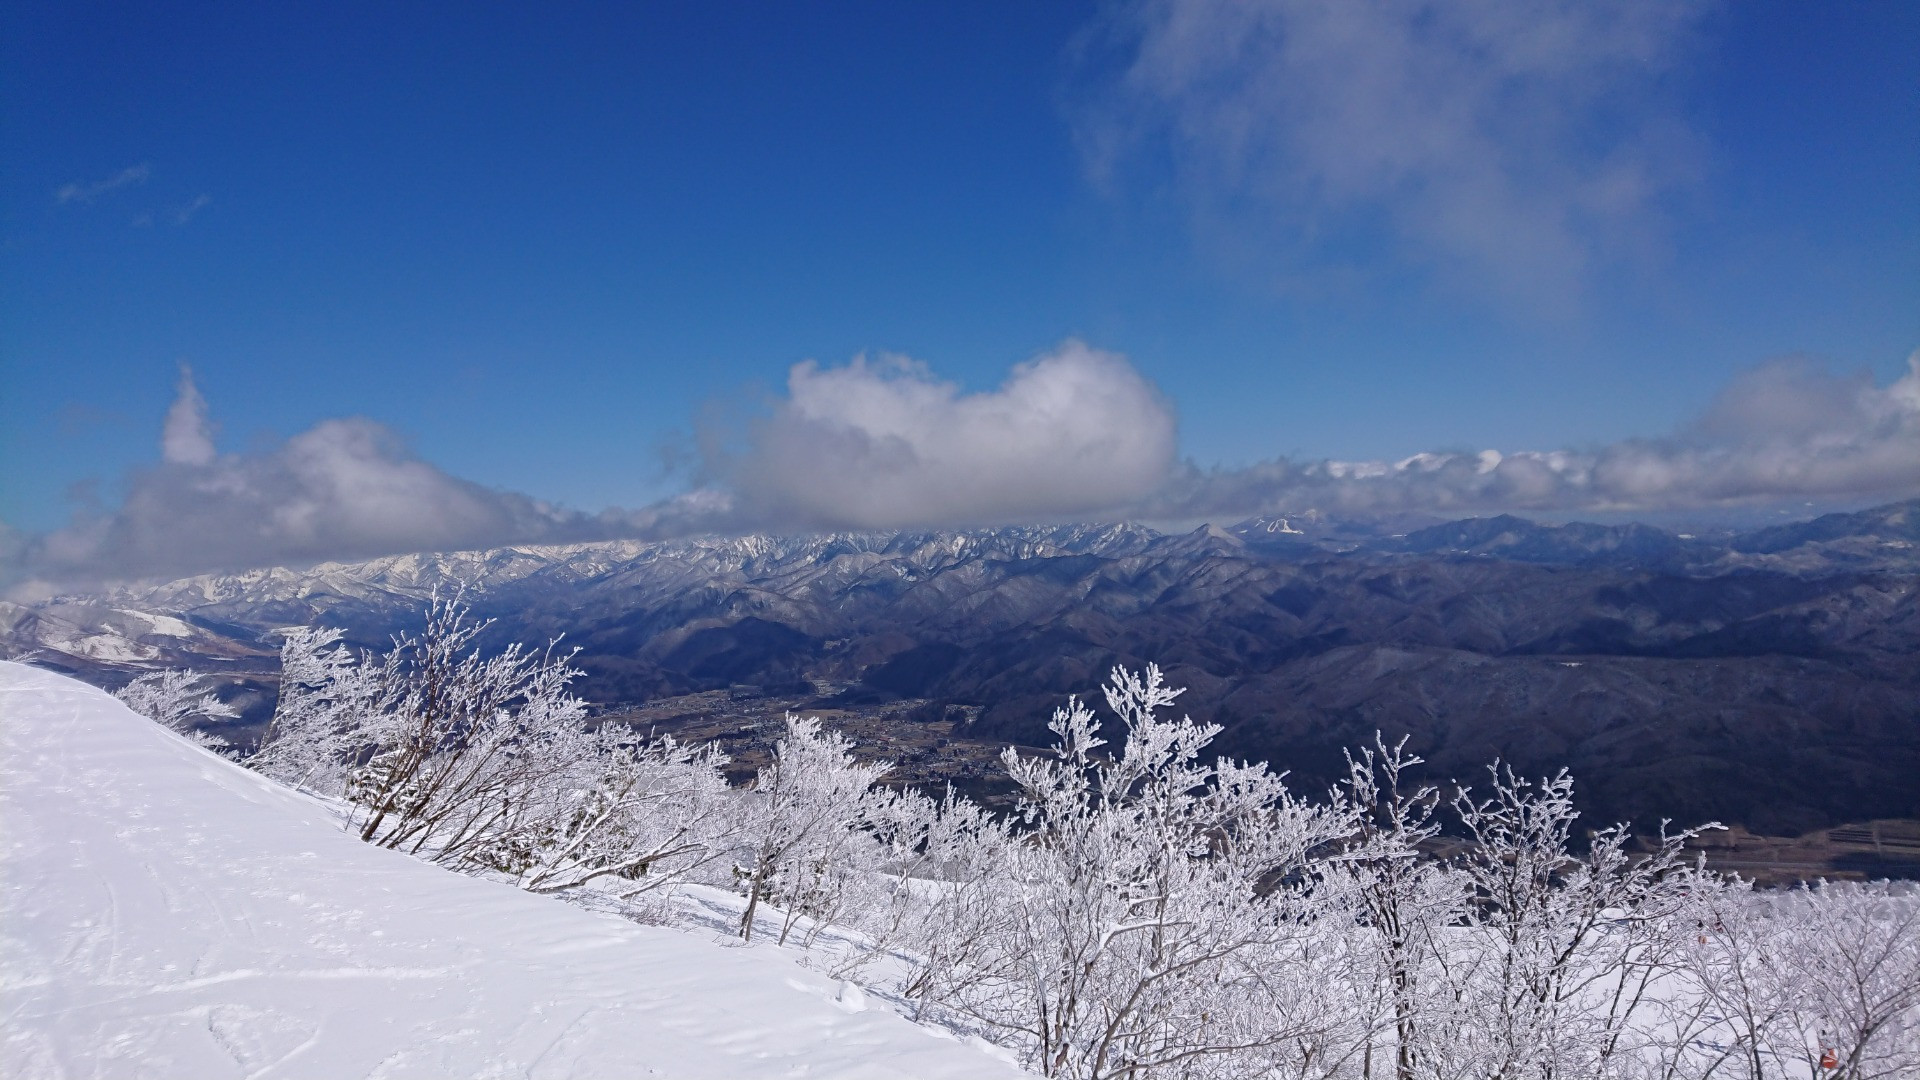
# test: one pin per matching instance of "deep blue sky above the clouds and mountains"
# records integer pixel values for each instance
(540, 245)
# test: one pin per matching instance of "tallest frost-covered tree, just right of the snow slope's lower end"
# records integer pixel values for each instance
(1145, 904)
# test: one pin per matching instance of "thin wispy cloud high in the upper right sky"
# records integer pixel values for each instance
(1504, 143)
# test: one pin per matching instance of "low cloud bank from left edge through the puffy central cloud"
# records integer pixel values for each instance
(871, 445)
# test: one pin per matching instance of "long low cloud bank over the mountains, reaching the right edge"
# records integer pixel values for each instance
(1783, 431)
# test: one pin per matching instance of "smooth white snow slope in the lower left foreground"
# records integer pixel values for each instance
(170, 914)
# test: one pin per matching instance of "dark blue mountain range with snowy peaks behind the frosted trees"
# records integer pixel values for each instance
(1765, 677)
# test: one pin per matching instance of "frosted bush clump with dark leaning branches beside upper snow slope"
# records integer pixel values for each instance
(487, 762)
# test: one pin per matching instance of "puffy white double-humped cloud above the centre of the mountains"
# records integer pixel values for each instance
(882, 443)
